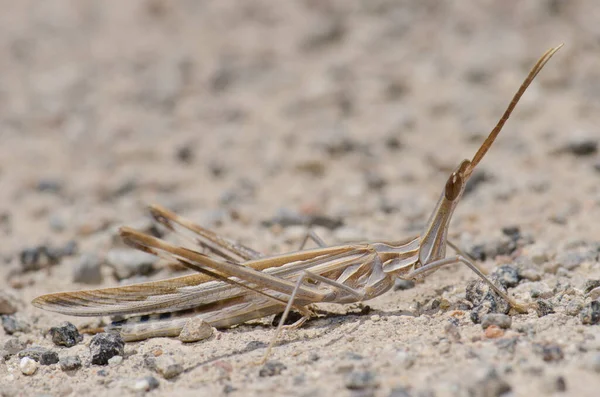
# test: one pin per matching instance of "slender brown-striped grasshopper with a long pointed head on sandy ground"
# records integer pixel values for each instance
(234, 283)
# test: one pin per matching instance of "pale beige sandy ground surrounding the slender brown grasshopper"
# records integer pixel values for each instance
(233, 112)
